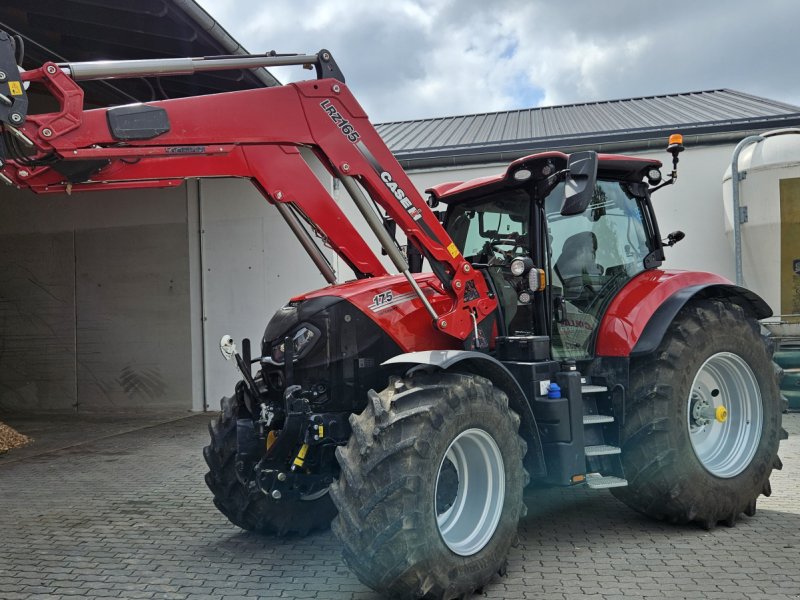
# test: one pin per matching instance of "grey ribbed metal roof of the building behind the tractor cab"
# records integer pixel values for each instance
(608, 125)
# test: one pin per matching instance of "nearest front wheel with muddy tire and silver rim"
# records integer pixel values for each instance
(430, 491)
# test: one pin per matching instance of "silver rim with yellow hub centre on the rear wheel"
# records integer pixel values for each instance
(725, 383)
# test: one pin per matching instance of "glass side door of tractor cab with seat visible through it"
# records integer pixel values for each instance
(593, 255)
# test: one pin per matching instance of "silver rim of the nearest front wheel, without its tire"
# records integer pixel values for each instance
(468, 516)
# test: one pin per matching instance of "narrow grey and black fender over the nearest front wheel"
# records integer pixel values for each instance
(489, 367)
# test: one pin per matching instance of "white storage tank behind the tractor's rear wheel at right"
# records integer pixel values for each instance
(770, 239)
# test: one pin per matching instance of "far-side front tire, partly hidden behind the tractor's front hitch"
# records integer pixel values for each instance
(244, 504)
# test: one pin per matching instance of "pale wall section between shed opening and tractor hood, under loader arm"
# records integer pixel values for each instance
(251, 266)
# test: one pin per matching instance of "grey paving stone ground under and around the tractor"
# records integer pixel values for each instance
(128, 516)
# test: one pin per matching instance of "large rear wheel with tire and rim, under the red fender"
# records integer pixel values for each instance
(703, 423)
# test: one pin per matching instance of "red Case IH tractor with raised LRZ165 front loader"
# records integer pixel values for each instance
(530, 337)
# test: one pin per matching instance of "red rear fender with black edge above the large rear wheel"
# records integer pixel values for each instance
(637, 319)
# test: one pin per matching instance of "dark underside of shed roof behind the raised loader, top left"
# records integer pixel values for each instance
(84, 30)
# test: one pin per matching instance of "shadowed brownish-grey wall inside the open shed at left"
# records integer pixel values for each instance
(94, 301)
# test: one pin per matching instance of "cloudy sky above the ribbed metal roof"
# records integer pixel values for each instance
(411, 59)
